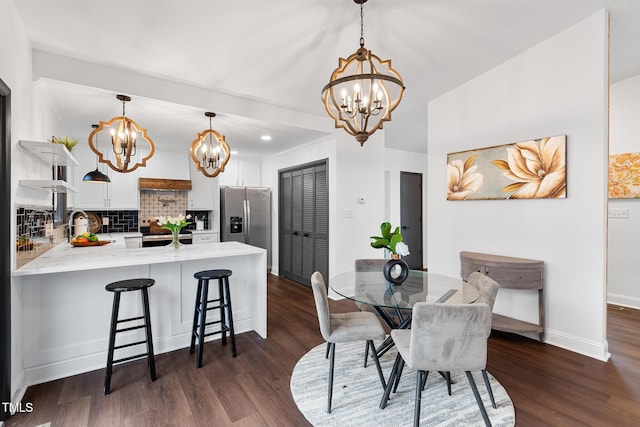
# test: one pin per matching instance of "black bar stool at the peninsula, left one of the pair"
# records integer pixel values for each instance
(117, 288)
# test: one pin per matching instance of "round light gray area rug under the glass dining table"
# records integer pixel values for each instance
(357, 392)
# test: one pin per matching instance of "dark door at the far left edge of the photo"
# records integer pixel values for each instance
(5, 245)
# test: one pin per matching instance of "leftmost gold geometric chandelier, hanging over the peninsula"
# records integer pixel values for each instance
(124, 142)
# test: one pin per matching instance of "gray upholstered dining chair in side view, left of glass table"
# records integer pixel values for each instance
(344, 327)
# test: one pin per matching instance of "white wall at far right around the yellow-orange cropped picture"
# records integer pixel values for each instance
(624, 233)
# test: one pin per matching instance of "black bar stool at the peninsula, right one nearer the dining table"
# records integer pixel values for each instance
(203, 305)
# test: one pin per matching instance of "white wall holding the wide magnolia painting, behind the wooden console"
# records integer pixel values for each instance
(557, 87)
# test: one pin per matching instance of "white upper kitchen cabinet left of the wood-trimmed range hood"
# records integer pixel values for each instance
(121, 193)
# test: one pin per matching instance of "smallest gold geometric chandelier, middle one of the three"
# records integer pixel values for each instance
(210, 151)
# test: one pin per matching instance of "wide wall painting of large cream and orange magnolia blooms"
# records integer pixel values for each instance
(534, 169)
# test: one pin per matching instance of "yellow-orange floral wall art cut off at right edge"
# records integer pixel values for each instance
(624, 176)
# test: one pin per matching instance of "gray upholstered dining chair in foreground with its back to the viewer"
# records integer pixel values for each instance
(443, 337)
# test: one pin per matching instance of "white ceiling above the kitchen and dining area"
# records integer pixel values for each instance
(283, 52)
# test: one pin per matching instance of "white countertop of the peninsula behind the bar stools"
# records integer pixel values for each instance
(66, 258)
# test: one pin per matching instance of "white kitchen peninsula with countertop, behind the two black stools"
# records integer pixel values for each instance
(65, 309)
